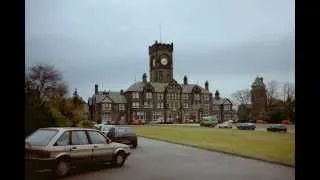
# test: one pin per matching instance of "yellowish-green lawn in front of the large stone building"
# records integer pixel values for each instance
(276, 147)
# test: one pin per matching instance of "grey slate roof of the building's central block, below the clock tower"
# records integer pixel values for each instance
(160, 87)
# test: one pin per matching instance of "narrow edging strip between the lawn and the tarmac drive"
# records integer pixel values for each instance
(220, 151)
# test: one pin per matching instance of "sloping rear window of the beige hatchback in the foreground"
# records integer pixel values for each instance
(41, 137)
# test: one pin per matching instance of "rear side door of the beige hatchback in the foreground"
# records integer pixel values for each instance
(80, 148)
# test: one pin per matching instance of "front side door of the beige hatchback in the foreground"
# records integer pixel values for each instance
(101, 149)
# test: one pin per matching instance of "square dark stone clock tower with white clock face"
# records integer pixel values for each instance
(161, 66)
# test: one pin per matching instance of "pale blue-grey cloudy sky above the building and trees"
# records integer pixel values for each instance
(227, 42)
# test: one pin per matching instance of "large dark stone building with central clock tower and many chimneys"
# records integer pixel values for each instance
(161, 96)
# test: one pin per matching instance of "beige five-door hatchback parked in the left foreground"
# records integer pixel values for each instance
(57, 149)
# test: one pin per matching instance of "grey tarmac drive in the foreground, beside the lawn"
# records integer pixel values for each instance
(156, 160)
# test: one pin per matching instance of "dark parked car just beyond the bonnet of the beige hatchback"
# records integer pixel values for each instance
(123, 134)
